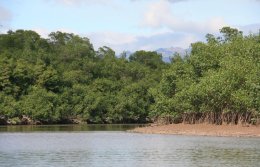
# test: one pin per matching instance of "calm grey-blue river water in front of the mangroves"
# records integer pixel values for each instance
(77, 148)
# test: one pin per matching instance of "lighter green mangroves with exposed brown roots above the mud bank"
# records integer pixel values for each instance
(218, 83)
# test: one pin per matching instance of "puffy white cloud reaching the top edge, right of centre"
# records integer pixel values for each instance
(160, 15)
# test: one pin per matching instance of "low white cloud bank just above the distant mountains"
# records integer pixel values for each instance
(121, 42)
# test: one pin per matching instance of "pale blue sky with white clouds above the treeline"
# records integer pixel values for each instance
(130, 25)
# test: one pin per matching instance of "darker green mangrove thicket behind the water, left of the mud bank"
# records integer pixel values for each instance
(63, 79)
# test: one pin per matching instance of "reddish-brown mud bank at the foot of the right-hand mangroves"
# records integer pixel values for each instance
(202, 130)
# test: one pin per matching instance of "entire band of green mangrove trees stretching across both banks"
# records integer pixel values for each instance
(62, 79)
